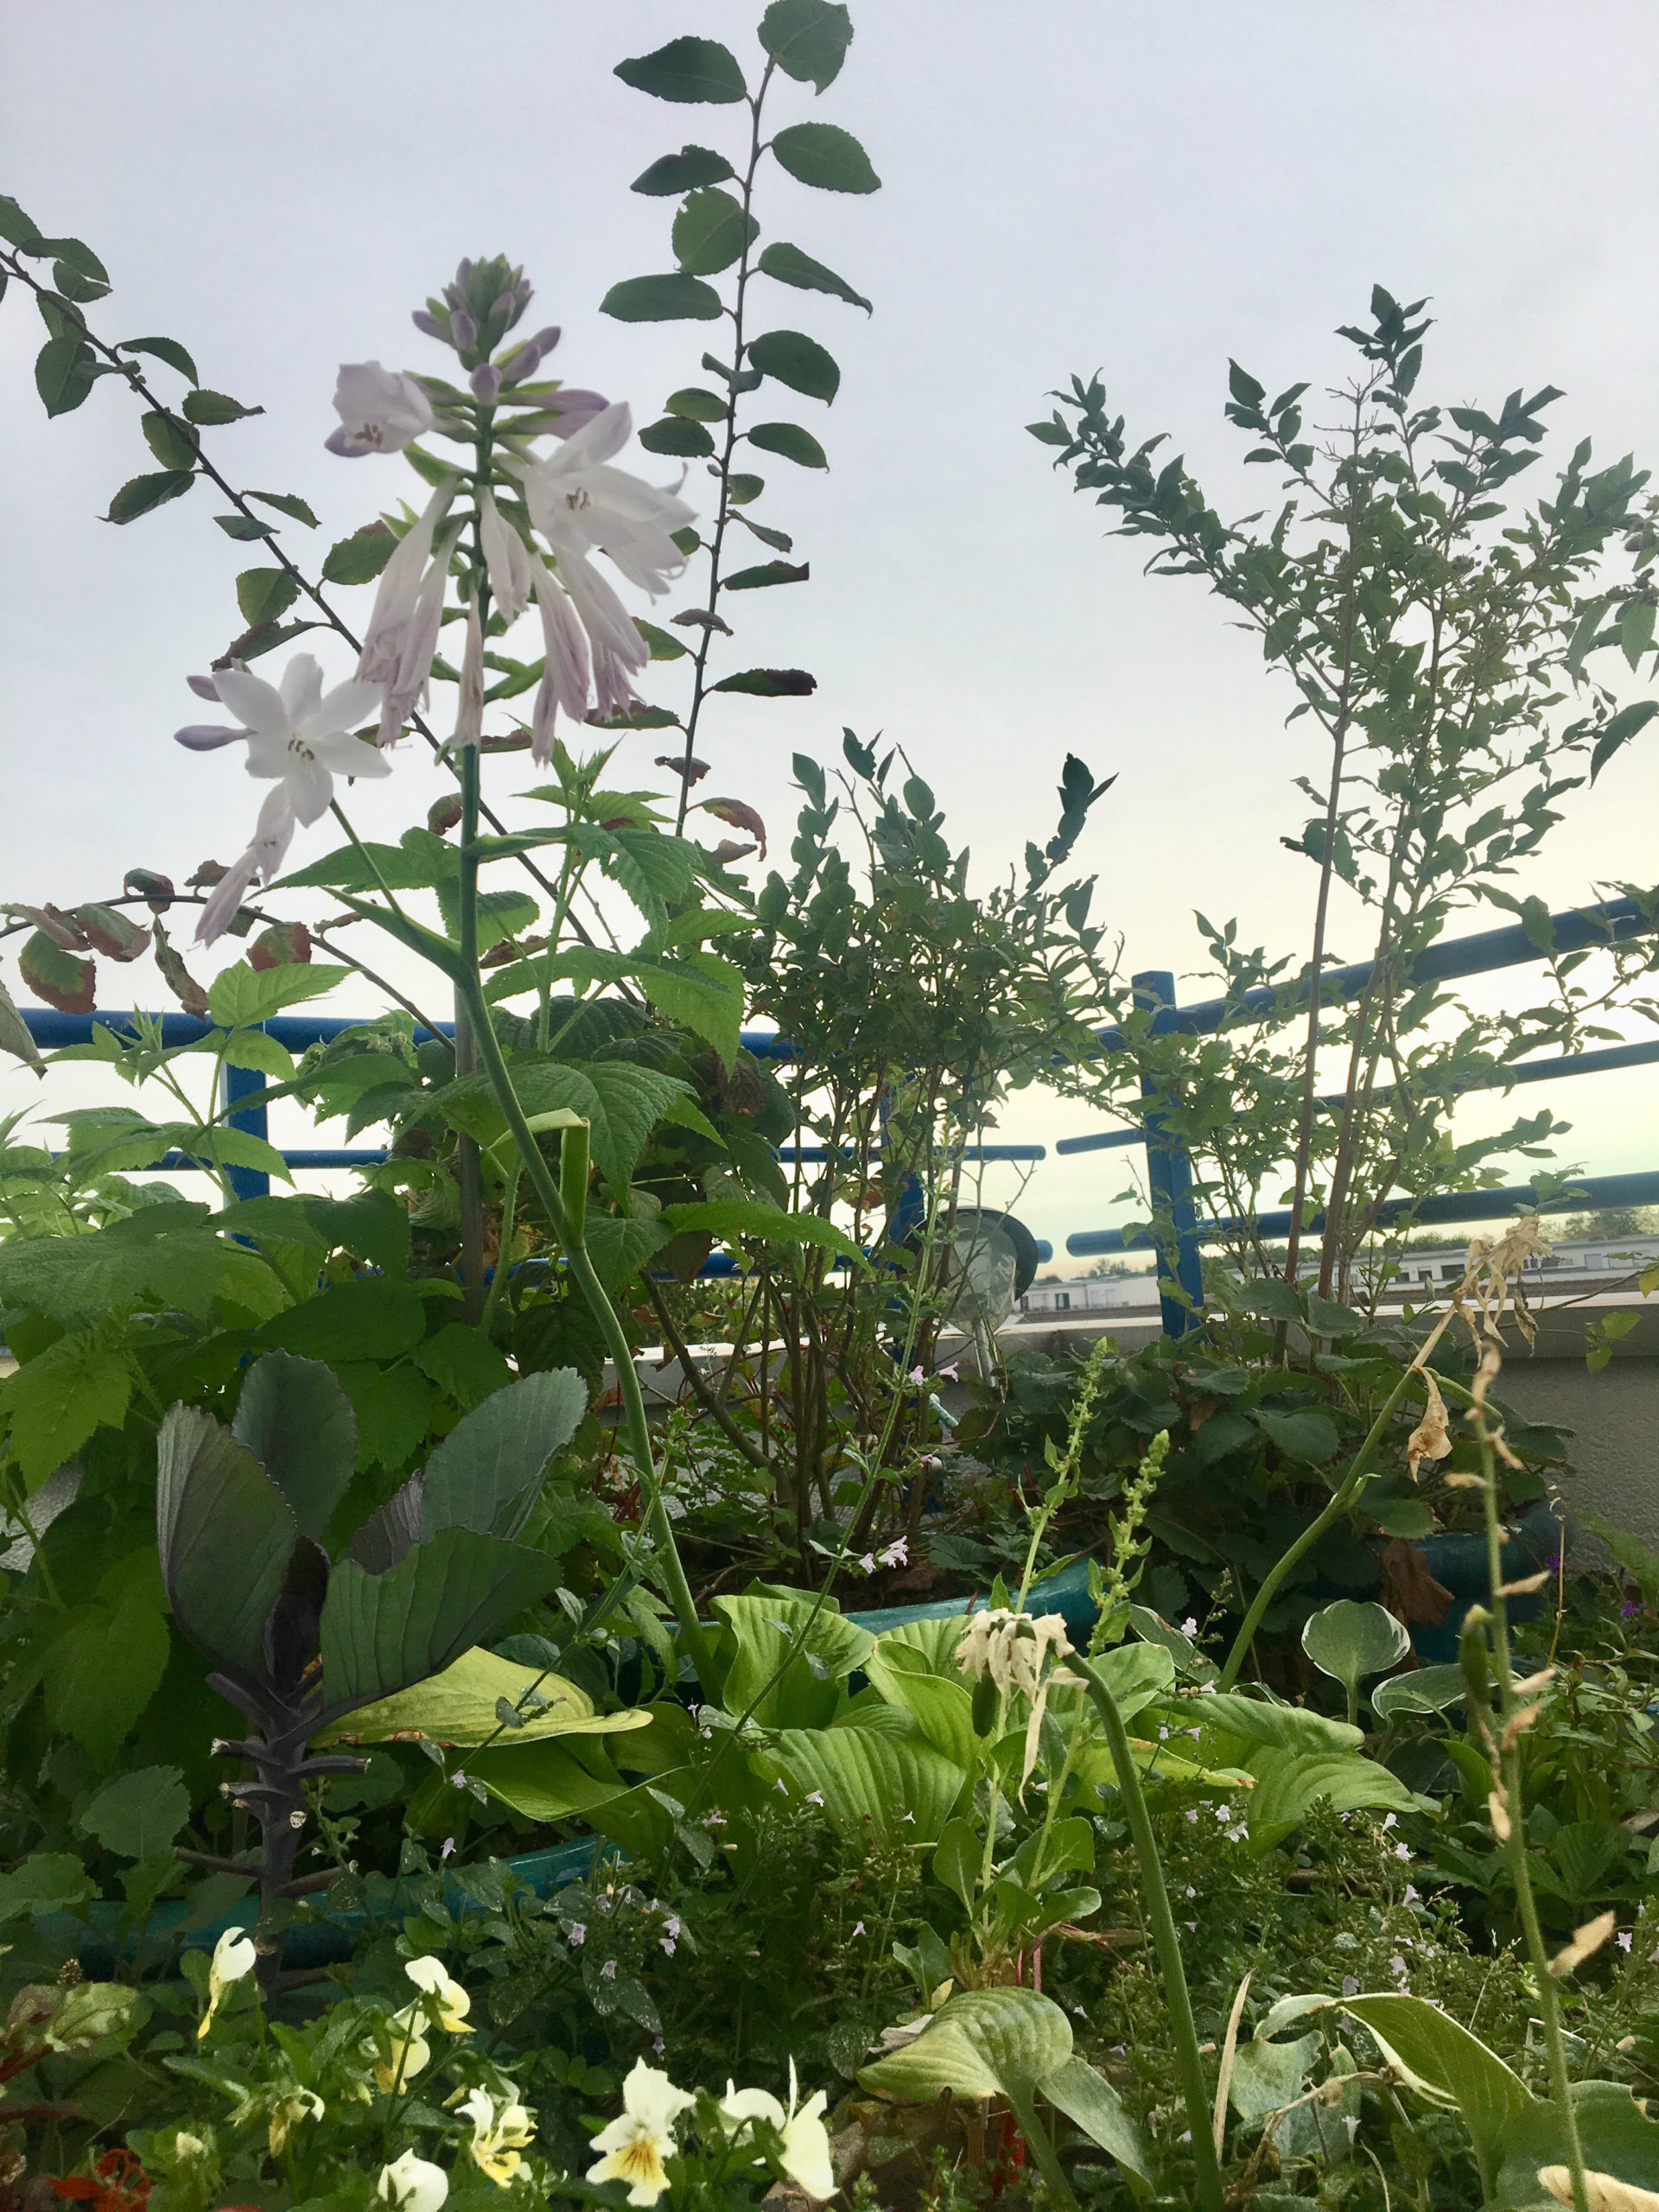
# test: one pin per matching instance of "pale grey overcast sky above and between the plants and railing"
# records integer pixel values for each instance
(1142, 189)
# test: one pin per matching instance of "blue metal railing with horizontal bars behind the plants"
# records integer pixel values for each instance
(1180, 1233)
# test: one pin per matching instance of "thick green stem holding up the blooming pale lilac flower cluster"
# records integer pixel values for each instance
(567, 1204)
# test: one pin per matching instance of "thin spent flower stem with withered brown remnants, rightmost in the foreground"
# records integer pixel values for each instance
(1490, 1631)
